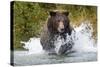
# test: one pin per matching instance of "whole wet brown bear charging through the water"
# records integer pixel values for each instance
(58, 24)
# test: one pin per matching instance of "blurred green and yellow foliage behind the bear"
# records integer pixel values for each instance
(29, 18)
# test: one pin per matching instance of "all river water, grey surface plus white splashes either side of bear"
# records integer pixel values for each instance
(84, 50)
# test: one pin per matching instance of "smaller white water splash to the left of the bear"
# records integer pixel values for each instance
(33, 46)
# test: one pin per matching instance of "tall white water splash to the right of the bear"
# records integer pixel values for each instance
(84, 41)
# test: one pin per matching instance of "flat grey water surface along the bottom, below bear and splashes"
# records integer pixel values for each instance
(22, 58)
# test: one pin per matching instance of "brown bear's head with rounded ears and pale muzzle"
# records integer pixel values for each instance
(58, 22)
